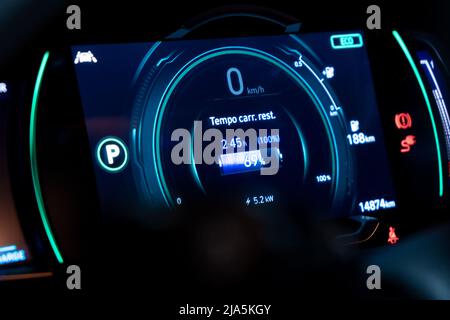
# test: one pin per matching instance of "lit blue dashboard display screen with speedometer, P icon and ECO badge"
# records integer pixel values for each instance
(255, 123)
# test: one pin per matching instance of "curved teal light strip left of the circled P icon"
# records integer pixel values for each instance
(33, 160)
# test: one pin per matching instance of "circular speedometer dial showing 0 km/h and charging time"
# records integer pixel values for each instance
(250, 126)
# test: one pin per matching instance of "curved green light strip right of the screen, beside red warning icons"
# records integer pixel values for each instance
(427, 102)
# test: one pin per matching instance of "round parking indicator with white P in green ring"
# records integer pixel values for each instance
(112, 154)
